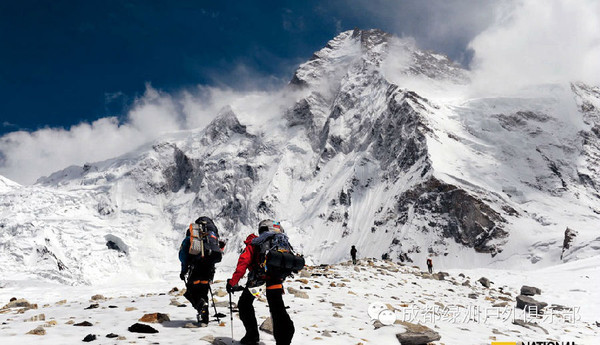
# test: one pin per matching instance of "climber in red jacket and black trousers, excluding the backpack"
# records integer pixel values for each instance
(283, 327)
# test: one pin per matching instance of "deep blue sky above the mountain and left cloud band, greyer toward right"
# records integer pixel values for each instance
(64, 62)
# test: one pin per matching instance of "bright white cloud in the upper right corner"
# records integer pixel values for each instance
(539, 42)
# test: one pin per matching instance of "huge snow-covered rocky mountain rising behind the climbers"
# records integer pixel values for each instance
(383, 147)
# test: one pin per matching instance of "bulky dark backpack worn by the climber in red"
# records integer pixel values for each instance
(276, 257)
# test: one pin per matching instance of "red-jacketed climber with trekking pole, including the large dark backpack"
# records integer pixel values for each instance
(269, 258)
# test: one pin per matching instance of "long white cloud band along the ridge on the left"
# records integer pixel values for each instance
(26, 156)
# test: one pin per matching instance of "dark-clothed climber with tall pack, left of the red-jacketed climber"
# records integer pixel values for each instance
(199, 252)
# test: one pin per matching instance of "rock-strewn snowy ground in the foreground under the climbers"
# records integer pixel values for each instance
(334, 309)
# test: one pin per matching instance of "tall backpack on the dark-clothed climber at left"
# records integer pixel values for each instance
(204, 241)
